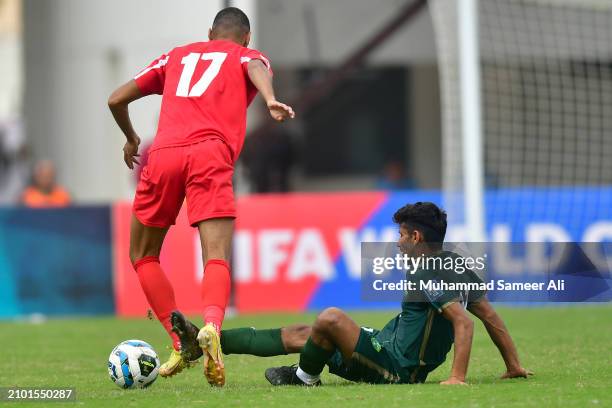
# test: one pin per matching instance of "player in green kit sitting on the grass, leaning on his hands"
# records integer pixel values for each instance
(408, 348)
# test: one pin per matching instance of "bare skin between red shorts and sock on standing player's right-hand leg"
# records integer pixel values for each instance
(216, 236)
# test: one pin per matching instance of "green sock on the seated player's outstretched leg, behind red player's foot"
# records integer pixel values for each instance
(248, 340)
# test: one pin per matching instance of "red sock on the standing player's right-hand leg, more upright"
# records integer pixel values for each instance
(215, 291)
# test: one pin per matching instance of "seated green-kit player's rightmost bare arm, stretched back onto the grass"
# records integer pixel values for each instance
(500, 336)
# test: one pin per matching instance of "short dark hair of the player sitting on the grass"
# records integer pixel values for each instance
(425, 217)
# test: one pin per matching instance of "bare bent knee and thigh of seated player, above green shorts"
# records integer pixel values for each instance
(335, 326)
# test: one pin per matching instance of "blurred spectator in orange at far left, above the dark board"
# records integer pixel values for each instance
(44, 192)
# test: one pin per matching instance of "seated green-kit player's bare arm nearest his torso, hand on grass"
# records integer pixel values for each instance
(463, 328)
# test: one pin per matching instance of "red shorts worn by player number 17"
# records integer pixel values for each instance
(202, 172)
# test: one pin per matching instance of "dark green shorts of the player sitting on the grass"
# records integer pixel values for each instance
(370, 363)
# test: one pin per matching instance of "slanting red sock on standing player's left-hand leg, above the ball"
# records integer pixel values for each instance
(158, 291)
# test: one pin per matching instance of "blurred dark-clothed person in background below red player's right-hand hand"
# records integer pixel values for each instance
(269, 158)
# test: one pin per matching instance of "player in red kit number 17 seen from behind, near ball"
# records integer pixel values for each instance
(206, 88)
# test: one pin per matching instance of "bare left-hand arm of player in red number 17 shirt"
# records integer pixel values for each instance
(118, 104)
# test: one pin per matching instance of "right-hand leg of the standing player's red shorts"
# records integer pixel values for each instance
(209, 187)
